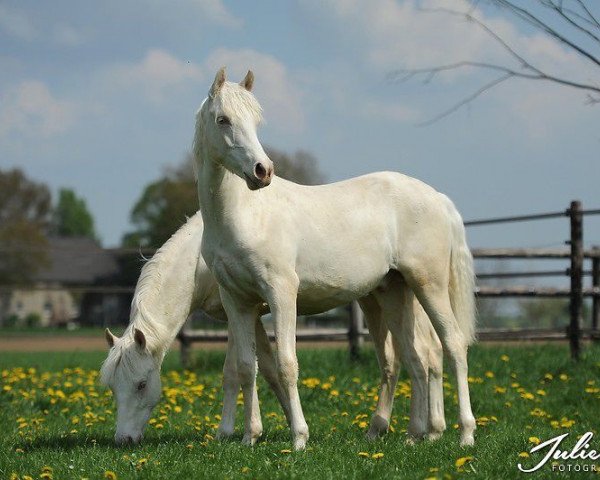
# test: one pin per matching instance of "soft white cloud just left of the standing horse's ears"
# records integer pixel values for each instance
(156, 75)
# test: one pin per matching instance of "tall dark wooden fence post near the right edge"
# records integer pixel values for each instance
(576, 302)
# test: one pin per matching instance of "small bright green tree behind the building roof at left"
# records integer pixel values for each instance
(71, 216)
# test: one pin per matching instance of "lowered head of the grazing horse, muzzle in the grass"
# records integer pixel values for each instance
(133, 375)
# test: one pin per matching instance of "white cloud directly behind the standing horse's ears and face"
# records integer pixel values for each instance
(279, 94)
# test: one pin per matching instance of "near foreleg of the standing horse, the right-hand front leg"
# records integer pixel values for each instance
(282, 301)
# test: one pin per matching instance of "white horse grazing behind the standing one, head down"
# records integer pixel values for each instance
(177, 281)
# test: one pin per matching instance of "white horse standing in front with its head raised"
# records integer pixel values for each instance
(308, 249)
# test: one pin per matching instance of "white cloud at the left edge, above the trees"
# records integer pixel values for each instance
(30, 110)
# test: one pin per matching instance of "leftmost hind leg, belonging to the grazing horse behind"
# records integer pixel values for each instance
(389, 366)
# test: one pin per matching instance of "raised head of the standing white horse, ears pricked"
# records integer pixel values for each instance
(228, 120)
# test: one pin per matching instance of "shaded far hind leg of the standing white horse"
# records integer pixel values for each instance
(396, 301)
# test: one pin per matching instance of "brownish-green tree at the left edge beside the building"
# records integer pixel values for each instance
(24, 221)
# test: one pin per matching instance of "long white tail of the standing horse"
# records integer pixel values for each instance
(462, 278)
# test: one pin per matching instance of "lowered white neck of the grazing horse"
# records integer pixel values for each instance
(166, 289)
